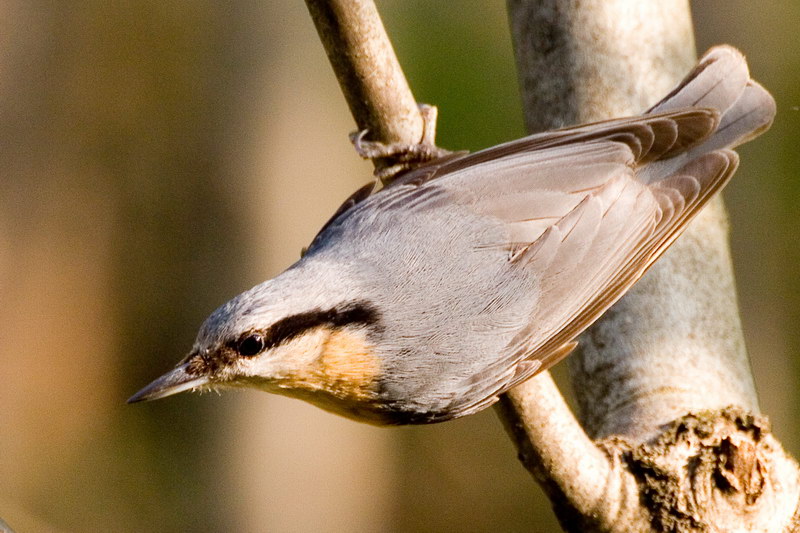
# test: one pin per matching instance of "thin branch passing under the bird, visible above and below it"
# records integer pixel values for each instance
(381, 101)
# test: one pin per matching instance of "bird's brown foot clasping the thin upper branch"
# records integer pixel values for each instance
(401, 157)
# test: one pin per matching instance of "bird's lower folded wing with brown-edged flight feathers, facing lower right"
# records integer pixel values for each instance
(662, 210)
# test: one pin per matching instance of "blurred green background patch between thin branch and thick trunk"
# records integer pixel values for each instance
(462, 61)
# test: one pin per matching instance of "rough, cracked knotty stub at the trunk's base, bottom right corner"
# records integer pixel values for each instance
(713, 471)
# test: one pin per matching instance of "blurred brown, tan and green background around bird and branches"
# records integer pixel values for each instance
(158, 157)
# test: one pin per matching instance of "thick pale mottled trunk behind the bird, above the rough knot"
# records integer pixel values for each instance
(674, 343)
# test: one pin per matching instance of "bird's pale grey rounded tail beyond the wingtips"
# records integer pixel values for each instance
(721, 82)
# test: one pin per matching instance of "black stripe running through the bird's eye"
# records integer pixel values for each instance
(286, 329)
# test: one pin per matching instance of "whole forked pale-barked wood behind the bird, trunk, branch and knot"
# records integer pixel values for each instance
(656, 373)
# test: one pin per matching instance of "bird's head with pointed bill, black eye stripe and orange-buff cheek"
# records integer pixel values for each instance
(319, 351)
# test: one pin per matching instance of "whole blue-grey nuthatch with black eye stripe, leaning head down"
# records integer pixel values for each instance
(425, 300)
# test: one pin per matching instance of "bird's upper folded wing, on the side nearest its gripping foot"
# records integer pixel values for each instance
(588, 153)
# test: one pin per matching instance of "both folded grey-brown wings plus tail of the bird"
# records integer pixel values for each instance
(585, 210)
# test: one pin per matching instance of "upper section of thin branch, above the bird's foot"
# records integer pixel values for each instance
(368, 71)
